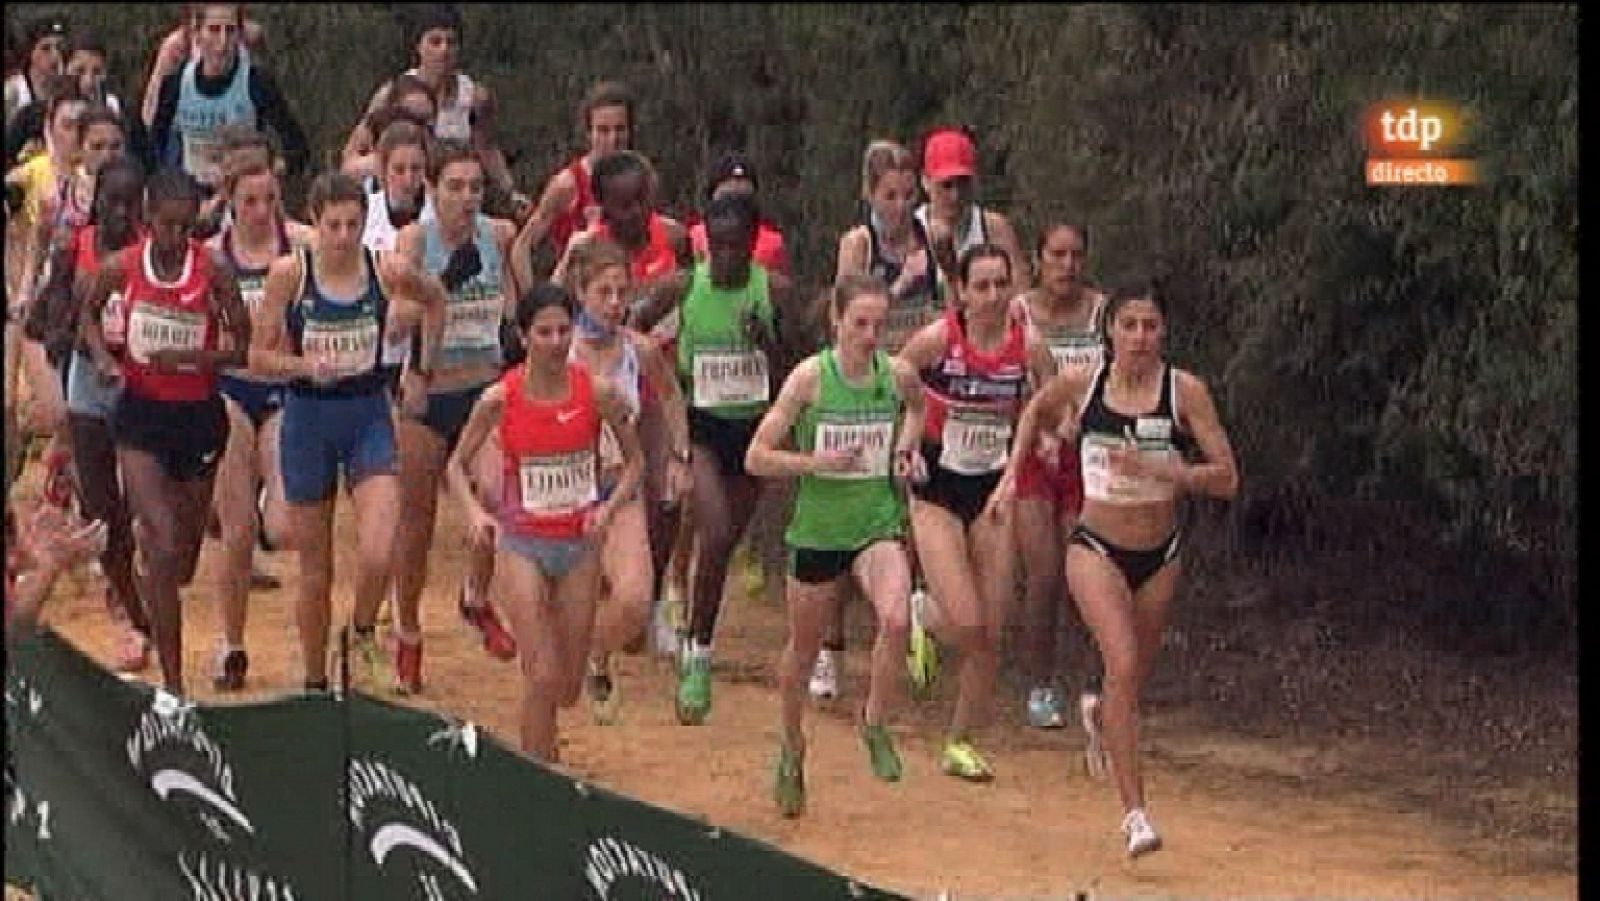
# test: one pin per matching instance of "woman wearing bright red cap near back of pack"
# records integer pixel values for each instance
(954, 220)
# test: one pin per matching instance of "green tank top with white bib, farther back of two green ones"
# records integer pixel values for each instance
(724, 374)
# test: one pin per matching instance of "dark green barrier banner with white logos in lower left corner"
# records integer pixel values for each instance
(122, 791)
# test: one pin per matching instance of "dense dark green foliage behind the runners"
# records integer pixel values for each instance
(1388, 361)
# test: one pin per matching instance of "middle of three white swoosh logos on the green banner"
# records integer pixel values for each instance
(396, 815)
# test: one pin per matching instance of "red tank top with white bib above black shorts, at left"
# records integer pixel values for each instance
(167, 316)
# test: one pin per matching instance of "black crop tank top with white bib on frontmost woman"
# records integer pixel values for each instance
(1158, 436)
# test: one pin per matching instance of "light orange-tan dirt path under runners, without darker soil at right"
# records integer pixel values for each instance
(1239, 817)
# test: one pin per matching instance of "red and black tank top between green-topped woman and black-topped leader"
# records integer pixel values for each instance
(975, 399)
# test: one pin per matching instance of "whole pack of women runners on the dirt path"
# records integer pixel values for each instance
(977, 420)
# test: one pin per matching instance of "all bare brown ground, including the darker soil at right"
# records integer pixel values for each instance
(1273, 766)
